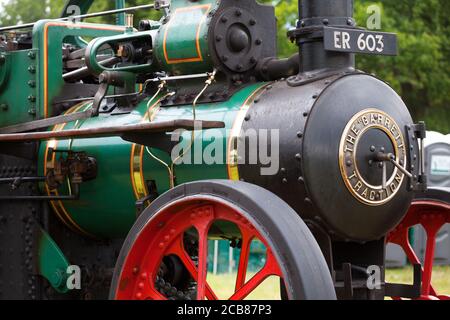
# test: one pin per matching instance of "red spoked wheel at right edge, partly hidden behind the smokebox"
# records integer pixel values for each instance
(432, 212)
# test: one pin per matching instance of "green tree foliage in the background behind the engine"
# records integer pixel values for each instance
(420, 74)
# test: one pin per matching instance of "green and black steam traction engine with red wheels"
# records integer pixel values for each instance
(96, 136)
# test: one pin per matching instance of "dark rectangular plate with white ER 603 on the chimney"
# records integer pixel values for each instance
(360, 41)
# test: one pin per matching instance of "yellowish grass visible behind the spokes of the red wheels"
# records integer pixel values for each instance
(223, 285)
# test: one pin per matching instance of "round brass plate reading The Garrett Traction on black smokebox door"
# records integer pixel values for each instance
(374, 195)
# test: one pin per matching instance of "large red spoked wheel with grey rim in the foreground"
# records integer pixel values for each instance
(166, 253)
